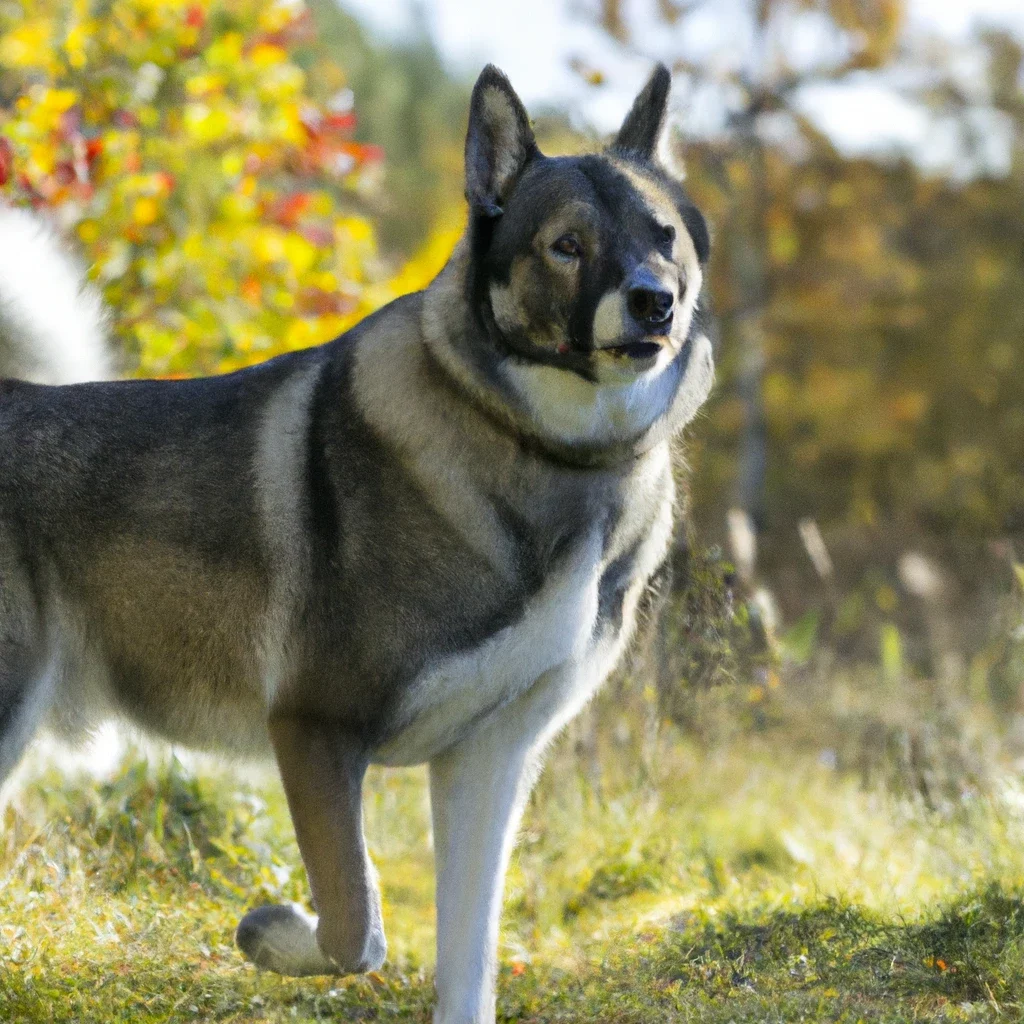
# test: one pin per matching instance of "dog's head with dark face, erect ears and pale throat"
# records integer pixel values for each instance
(585, 273)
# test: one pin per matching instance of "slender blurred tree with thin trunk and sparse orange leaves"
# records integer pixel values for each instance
(754, 82)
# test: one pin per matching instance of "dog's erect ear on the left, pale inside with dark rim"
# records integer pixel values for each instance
(499, 144)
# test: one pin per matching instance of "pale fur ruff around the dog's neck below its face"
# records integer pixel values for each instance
(565, 418)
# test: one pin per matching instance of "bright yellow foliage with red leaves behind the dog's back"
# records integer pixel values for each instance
(215, 199)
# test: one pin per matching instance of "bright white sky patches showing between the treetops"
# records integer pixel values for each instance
(534, 40)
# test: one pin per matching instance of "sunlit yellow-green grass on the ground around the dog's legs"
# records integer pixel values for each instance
(745, 882)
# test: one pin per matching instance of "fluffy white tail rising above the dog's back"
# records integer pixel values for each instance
(52, 322)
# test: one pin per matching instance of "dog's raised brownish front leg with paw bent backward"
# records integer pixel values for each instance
(322, 769)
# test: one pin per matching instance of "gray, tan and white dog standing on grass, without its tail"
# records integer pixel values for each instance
(423, 542)
